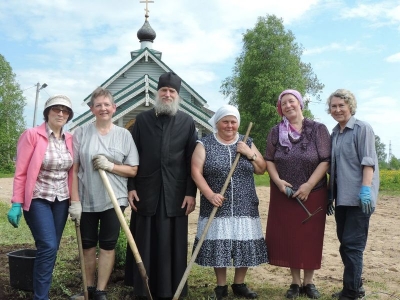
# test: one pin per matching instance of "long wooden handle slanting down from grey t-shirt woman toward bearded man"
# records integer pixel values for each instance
(128, 233)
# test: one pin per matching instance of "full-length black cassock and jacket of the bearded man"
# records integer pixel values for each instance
(160, 227)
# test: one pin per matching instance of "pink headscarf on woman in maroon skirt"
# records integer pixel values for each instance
(285, 129)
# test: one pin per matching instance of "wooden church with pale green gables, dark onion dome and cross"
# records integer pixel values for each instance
(134, 87)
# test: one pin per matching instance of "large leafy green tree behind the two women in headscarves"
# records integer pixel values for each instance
(268, 64)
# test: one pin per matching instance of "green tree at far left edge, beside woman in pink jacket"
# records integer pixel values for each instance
(12, 122)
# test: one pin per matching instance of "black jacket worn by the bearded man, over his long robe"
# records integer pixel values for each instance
(165, 145)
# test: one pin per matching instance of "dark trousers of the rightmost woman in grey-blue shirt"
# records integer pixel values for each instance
(352, 231)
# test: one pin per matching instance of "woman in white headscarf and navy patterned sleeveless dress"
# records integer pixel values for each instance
(235, 236)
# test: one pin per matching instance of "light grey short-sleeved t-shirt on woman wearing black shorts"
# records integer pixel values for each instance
(117, 144)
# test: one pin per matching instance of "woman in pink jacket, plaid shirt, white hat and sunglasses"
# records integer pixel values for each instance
(42, 187)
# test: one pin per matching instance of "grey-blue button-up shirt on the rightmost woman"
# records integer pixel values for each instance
(353, 149)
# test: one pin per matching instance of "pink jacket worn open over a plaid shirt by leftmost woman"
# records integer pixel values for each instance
(31, 148)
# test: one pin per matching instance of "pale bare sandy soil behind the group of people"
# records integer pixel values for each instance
(381, 257)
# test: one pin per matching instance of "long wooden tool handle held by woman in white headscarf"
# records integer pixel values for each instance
(212, 215)
